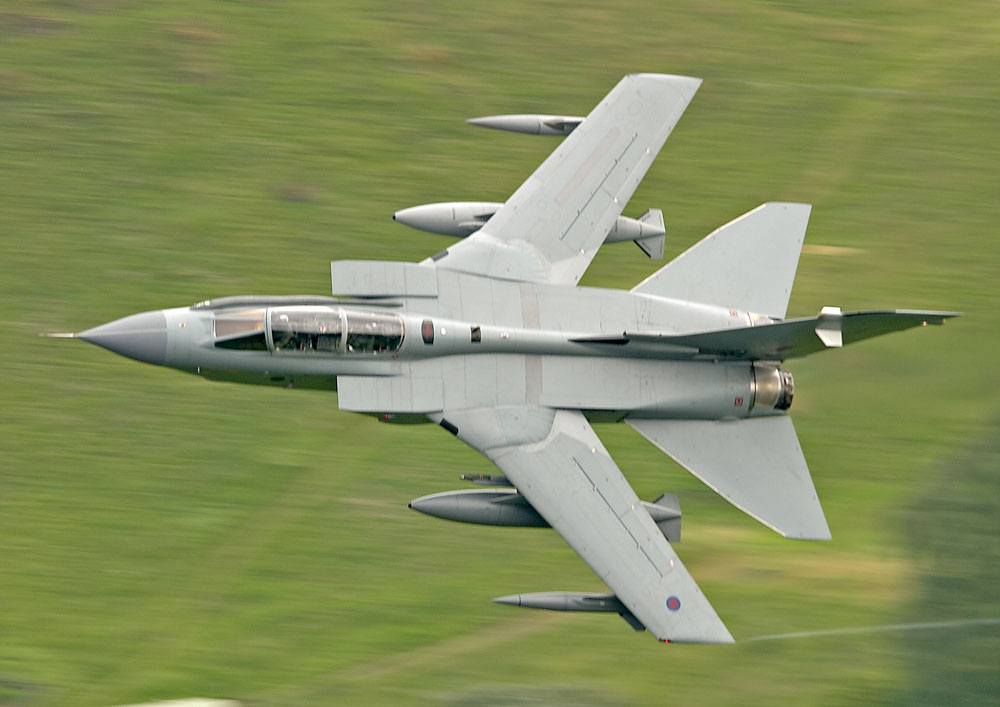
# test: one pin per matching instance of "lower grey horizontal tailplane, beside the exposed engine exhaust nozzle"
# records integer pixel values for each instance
(756, 464)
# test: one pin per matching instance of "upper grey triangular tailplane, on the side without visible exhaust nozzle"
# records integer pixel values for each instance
(747, 264)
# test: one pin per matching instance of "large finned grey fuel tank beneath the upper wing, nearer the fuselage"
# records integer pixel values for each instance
(463, 218)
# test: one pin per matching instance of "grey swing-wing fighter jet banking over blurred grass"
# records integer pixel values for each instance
(493, 340)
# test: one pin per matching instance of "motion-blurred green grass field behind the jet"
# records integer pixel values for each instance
(165, 537)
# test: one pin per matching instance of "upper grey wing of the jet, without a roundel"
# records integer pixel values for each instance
(553, 225)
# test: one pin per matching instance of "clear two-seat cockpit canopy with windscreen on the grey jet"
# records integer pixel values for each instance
(309, 330)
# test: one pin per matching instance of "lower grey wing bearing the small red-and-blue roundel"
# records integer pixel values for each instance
(558, 463)
